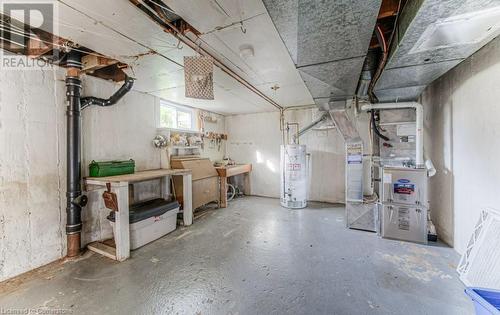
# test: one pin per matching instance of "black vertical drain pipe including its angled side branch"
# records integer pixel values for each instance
(75, 199)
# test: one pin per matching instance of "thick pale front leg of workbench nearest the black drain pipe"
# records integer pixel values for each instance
(122, 237)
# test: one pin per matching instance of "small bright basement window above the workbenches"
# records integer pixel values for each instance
(175, 116)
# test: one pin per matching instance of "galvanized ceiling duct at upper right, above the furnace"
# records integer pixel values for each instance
(431, 38)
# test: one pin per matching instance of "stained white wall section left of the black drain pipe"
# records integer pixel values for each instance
(32, 170)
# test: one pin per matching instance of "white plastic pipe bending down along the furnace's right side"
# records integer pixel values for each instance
(419, 110)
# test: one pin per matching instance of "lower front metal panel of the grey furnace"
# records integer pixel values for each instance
(404, 222)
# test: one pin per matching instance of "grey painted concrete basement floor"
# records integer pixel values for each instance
(255, 257)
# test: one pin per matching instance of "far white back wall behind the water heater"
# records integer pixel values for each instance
(256, 139)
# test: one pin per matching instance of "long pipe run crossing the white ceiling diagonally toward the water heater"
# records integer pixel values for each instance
(170, 28)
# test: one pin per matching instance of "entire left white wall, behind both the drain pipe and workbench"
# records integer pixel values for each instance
(33, 161)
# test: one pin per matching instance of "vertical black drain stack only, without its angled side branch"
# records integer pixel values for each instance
(73, 176)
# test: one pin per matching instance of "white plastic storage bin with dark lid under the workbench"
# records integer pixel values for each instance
(149, 221)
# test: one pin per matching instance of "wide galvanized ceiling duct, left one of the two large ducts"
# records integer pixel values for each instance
(328, 42)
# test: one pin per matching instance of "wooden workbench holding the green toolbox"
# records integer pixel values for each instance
(120, 185)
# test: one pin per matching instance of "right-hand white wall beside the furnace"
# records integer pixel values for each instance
(465, 128)
